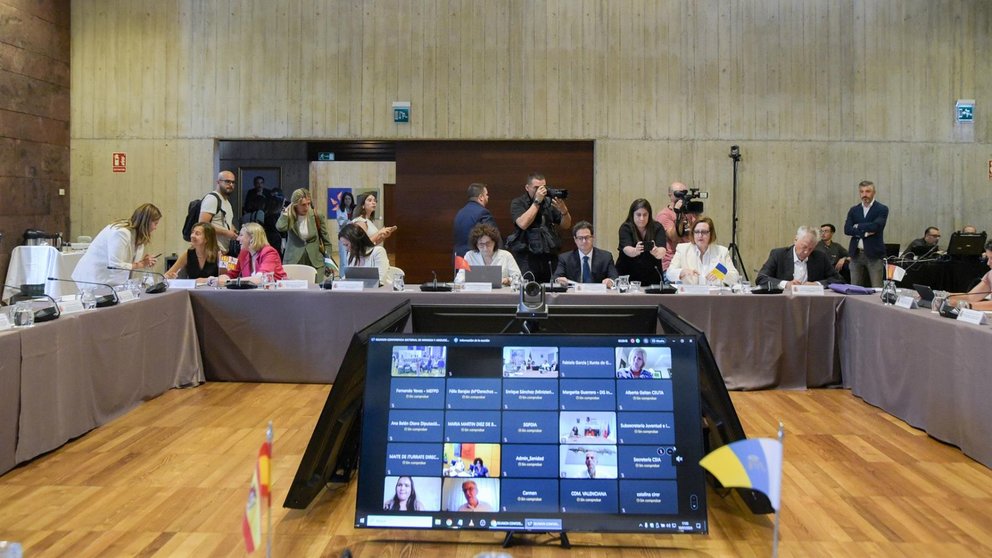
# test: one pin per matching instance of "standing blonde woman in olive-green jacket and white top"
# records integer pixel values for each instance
(306, 232)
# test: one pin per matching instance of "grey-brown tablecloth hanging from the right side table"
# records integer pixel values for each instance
(932, 372)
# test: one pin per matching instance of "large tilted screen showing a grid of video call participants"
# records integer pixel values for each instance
(532, 433)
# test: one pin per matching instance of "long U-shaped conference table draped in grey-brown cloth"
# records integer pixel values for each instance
(60, 379)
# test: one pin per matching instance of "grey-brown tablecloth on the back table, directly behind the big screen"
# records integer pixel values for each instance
(300, 336)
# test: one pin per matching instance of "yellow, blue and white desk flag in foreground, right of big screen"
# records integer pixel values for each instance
(755, 463)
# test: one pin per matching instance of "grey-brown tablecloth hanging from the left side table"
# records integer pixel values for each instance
(85, 369)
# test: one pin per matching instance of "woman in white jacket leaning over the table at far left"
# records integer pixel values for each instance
(120, 244)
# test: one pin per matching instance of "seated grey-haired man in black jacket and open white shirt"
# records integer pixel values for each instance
(799, 264)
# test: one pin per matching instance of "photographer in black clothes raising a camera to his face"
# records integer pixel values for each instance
(537, 215)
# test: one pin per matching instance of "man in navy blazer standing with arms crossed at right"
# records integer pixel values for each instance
(865, 224)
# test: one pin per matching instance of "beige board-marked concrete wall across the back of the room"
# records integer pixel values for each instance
(818, 94)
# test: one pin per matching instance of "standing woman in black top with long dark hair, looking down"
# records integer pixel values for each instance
(642, 245)
